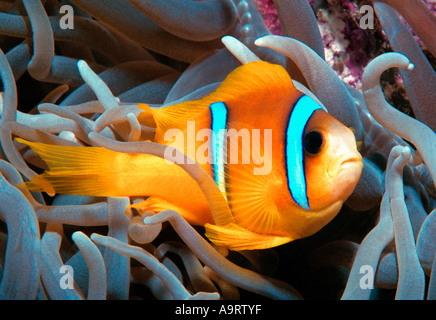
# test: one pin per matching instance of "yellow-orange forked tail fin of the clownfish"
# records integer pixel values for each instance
(74, 170)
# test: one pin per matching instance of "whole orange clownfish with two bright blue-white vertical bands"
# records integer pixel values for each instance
(283, 164)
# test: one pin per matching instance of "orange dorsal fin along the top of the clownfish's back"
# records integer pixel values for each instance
(254, 83)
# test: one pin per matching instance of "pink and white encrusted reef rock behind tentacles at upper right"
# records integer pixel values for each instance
(348, 47)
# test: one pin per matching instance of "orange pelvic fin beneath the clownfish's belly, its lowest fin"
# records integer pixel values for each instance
(237, 238)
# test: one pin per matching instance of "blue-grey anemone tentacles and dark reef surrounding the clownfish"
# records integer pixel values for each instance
(382, 244)
